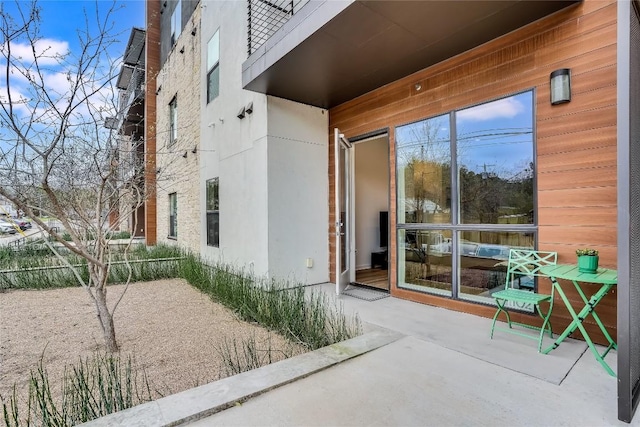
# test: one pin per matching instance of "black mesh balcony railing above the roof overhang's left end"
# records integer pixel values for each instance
(266, 17)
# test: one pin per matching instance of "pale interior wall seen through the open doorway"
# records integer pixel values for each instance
(372, 196)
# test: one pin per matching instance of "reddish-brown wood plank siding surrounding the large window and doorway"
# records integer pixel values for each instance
(575, 142)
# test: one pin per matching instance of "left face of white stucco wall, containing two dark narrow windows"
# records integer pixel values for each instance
(233, 149)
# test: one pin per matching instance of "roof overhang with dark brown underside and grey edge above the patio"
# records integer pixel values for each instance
(332, 51)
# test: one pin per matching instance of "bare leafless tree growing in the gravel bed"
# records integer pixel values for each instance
(56, 155)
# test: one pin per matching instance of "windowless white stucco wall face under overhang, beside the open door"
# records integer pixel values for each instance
(298, 191)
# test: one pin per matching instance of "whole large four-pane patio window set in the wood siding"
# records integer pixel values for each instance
(465, 191)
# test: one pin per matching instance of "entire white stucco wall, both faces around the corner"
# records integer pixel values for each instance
(271, 165)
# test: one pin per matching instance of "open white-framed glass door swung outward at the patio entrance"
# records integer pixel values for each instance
(344, 208)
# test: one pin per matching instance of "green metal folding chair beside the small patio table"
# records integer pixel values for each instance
(519, 288)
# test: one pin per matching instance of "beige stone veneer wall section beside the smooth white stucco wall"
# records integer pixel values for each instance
(180, 77)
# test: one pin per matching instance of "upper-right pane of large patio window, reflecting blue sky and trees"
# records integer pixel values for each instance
(495, 161)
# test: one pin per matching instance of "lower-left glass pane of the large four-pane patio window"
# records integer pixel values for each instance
(424, 261)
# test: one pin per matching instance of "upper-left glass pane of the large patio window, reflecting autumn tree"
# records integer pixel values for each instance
(424, 171)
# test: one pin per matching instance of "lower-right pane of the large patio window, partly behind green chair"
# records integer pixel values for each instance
(483, 258)
